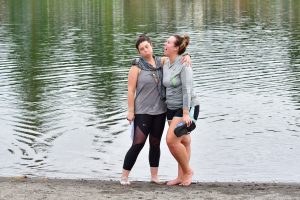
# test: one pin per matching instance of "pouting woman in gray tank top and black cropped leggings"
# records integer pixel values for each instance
(146, 107)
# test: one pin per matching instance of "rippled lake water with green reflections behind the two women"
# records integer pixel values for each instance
(63, 71)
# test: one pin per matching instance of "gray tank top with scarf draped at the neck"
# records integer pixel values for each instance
(148, 99)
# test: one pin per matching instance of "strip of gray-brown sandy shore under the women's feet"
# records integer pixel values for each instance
(40, 188)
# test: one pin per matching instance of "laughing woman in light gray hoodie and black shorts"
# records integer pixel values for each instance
(182, 106)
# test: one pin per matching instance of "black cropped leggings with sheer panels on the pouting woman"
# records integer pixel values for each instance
(145, 125)
